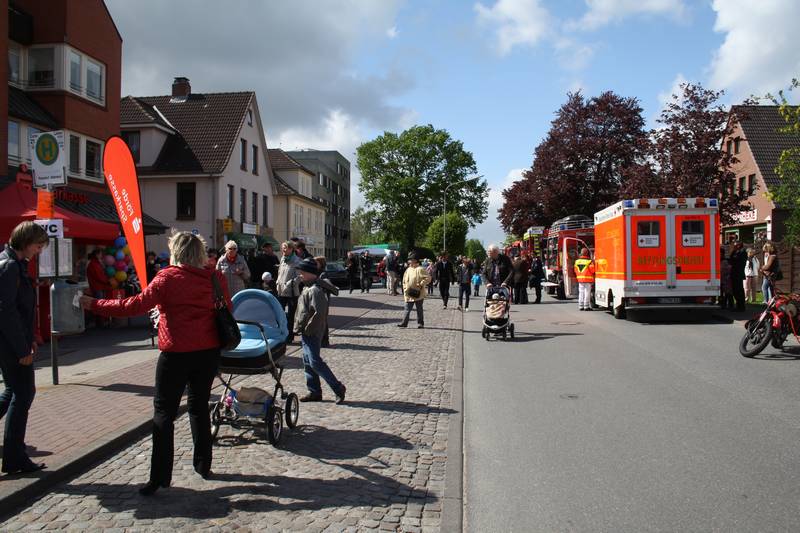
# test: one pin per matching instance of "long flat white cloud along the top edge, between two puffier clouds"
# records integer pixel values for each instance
(603, 12)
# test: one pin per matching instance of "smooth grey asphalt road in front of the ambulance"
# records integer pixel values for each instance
(587, 423)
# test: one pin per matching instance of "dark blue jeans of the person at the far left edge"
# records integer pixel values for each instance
(15, 401)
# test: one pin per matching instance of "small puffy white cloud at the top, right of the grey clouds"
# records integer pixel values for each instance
(518, 22)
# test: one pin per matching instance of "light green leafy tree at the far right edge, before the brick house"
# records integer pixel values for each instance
(787, 194)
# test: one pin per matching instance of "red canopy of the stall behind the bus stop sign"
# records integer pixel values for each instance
(18, 203)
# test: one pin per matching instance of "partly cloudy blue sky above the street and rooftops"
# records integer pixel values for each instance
(331, 74)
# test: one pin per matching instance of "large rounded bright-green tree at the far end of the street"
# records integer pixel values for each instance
(403, 178)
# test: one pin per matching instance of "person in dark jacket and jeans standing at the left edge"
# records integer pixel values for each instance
(17, 347)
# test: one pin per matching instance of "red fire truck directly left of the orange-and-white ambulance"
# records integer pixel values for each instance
(564, 241)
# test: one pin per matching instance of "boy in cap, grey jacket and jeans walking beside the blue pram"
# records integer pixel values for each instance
(310, 322)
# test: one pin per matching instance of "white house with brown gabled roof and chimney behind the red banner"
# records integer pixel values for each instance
(202, 164)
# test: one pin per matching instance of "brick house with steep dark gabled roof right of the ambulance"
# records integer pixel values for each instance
(757, 143)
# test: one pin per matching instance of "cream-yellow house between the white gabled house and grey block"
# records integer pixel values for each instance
(297, 212)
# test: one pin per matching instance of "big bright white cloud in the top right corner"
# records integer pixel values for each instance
(759, 53)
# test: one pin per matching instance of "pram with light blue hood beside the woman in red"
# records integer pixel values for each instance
(262, 323)
